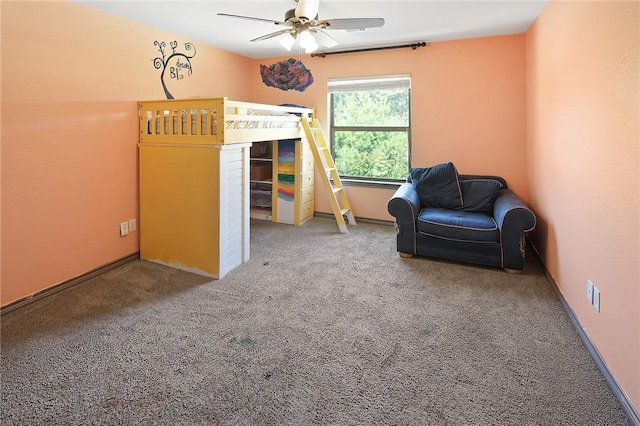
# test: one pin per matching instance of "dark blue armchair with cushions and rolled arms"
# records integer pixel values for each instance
(465, 218)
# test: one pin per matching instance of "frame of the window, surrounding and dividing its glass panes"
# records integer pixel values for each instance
(362, 81)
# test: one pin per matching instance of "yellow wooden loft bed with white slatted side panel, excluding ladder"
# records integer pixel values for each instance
(195, 161)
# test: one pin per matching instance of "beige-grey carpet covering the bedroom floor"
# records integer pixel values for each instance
(317, 328)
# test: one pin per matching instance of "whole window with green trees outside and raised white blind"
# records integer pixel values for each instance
(370, 127)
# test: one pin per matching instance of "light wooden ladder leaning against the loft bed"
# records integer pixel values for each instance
(328, 173)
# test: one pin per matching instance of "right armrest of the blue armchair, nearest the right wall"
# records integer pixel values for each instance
(513, 219)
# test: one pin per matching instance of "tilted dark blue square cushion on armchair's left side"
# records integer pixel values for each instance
(437, 186)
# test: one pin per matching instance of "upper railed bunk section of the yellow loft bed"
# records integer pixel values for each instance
(218, 121)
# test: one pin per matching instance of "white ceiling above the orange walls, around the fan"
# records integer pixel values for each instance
(405, 21)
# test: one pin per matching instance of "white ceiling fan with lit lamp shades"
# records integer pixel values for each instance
(302, 23)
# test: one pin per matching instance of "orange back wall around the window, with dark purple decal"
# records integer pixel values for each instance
(468, 106)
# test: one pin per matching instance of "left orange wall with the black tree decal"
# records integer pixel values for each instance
(71, 77)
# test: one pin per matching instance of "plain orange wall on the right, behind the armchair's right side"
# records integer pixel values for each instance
(583, 161)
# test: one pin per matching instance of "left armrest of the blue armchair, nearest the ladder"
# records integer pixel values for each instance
(405, 207)
